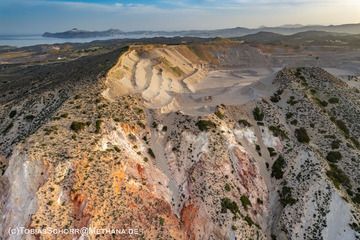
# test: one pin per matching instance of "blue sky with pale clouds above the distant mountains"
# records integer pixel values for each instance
(38, 16)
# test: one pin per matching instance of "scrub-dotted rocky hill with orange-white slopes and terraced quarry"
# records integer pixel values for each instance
(204, 141)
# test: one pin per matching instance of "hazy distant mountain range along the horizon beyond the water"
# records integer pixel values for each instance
(229, 32)
